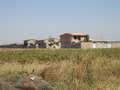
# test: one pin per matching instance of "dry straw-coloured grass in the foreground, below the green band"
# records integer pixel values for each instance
(72, 75)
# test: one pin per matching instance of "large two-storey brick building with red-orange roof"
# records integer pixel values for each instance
(69, 40)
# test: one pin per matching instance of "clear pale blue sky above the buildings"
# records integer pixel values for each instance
(40, 19)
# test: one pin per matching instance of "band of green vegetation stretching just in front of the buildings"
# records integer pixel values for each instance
(29, 56)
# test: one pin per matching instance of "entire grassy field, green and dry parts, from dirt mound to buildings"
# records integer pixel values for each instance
(66, 69)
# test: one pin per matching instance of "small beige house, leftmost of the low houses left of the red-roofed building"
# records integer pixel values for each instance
(30, 43)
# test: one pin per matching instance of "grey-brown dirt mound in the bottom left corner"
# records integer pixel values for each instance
(23, 82)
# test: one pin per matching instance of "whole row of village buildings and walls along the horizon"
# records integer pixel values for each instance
(67, 40)
